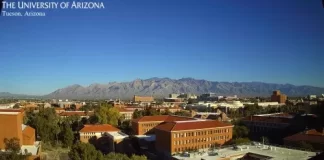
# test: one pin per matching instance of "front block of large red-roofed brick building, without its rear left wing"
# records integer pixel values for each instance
(180, 136)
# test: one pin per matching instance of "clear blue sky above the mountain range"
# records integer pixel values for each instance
(220, 40)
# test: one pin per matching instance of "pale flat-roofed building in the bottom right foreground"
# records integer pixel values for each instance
(253, 151)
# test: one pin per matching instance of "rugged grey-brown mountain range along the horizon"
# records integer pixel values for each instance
(161, 87)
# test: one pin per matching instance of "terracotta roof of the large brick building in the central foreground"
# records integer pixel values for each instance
(191, 125)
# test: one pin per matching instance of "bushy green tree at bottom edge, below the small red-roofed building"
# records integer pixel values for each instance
(84, 151)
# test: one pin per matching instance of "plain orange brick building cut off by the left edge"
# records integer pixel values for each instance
(11, 124)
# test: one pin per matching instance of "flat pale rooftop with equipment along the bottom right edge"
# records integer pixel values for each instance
(276, 153)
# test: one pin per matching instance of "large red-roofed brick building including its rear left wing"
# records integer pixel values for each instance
(175, 134)
